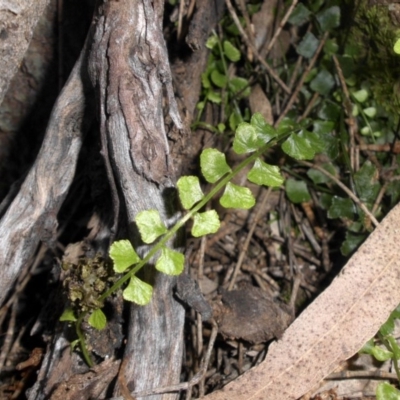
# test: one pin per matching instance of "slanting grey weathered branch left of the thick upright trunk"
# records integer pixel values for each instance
(32, 216)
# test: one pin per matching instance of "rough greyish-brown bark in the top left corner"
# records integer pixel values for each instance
(18, 19)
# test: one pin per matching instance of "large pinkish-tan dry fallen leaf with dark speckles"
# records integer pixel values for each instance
(334, 327)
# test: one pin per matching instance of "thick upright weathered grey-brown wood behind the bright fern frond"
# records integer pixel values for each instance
(129, 68)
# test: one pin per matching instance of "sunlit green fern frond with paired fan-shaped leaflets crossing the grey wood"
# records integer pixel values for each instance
(253, 138)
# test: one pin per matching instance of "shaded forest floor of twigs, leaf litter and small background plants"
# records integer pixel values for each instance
(289, 247)
